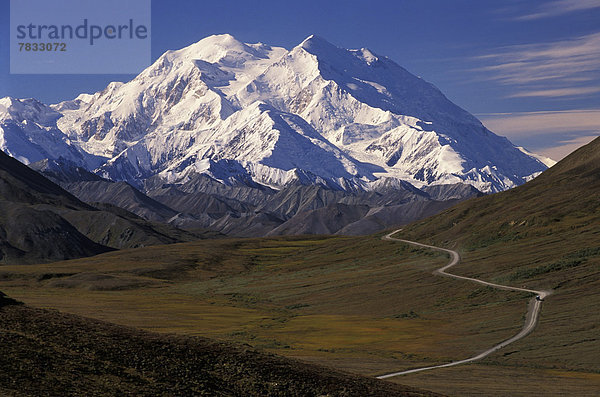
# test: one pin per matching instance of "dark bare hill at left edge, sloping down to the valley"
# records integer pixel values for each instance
(41, 222)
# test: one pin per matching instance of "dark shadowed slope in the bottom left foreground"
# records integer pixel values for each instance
(54, 354)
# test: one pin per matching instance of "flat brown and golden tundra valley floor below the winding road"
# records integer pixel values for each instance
(358, 304)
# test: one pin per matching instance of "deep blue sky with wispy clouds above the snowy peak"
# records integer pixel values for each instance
(528, 69)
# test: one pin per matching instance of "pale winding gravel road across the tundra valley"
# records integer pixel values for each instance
(530, 321)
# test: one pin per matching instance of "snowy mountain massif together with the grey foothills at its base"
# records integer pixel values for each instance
(249, 139)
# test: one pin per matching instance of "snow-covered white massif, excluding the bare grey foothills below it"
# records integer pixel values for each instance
(254, 114)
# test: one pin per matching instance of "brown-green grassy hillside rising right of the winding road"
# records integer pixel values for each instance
(544, 235)
